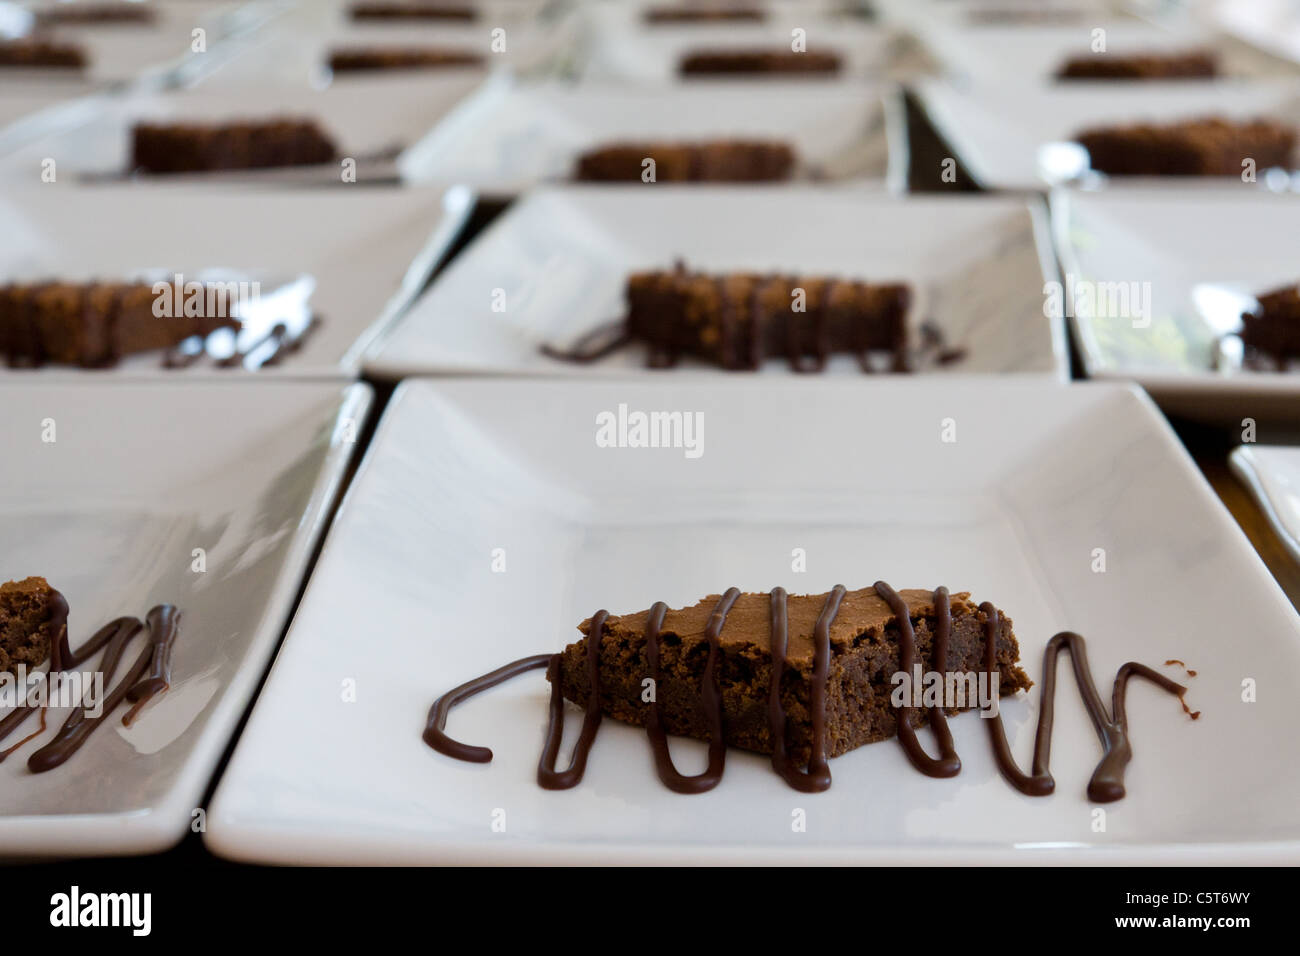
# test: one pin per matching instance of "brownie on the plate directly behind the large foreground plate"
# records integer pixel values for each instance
(738, 321)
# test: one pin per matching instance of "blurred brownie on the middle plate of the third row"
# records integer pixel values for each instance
(709, 162)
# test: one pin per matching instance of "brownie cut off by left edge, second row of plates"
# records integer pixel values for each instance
(93, 325)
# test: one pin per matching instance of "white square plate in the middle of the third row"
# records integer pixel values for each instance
(510, 136)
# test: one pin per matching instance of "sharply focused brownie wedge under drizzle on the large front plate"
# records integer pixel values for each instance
(864, 660)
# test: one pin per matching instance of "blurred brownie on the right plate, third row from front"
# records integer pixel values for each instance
(1211, 146)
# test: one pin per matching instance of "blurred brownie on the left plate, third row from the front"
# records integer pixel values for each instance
(254, 145)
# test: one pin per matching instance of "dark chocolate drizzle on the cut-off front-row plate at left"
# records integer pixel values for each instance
(149, 677)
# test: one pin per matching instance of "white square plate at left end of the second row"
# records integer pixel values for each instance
(352, 257)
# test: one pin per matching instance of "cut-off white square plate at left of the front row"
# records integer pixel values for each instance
(206, 496)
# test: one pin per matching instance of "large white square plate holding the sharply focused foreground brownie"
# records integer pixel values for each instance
(487, 522)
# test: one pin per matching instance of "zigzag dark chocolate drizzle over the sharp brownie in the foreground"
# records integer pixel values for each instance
(1112, 726)
